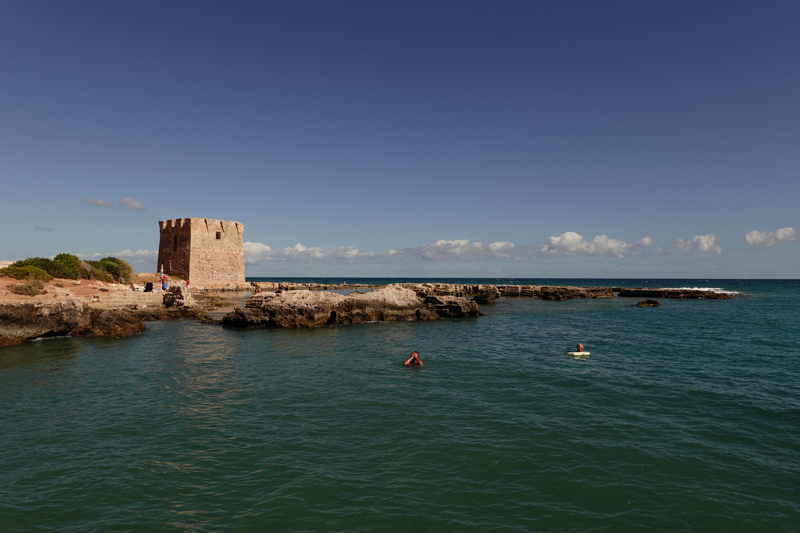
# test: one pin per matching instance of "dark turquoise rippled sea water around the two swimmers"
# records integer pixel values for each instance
(685, 418)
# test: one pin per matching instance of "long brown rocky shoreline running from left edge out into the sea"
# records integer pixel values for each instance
(121, 312)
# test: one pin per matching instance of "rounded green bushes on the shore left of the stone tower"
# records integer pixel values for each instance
(109, 269)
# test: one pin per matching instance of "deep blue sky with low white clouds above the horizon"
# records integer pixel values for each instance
(527, 139)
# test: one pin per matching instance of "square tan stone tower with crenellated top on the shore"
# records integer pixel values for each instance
(207, 252)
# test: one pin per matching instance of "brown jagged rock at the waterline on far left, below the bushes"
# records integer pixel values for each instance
(29, 320)
